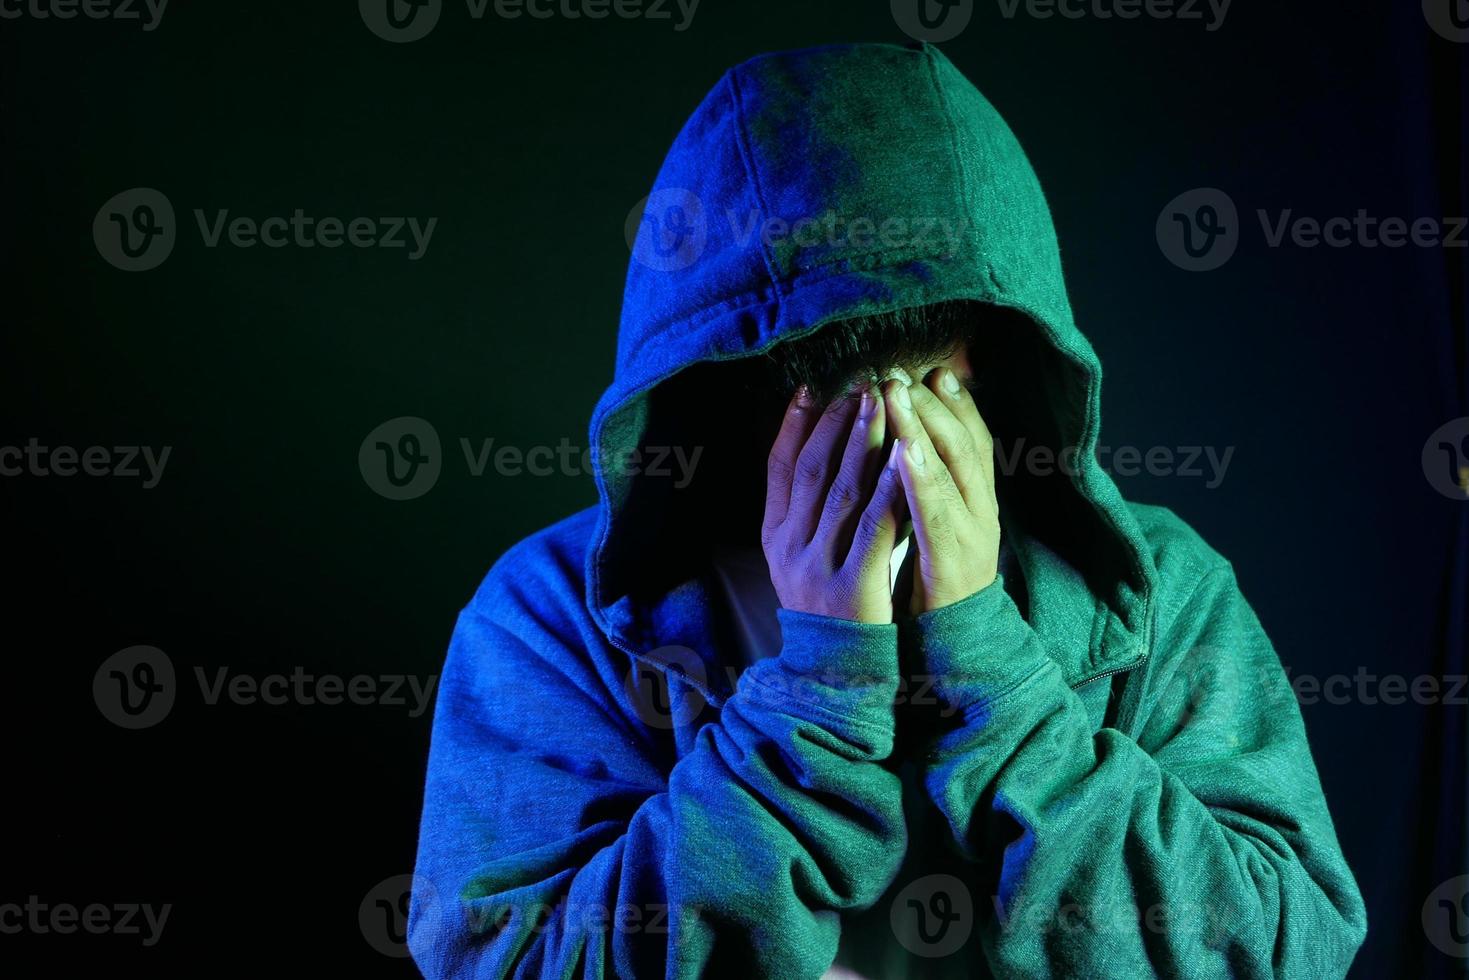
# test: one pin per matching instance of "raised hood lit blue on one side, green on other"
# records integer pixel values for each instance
(819, 186)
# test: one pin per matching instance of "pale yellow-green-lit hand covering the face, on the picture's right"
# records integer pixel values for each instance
(948, 472)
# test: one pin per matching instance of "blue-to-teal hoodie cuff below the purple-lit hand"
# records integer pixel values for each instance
(834, 666)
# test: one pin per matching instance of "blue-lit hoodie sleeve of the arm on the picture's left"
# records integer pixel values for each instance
(562, 838)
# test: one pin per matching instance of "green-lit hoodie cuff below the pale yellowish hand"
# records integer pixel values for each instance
(978, 649)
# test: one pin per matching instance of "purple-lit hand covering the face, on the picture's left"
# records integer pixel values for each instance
(834, 511)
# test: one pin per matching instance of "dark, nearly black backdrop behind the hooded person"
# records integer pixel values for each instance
(265, 550)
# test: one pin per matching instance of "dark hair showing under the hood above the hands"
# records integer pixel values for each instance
(841, 355)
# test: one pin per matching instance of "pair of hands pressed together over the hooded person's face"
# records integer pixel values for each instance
(847, 483)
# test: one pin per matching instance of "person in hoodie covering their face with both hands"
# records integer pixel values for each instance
(746, 725)
